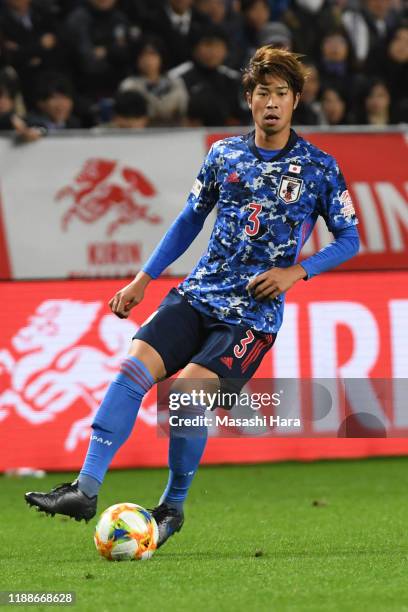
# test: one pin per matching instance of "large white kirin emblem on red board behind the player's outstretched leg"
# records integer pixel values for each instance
(48, 370)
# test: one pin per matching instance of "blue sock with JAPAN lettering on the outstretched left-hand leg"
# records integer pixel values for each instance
(114, 422)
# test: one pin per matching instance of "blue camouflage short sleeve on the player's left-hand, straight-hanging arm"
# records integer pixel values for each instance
(204, 193)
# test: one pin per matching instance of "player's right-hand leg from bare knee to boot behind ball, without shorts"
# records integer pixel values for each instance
(186, 447)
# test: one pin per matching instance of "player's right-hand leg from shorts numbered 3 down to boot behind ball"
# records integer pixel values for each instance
(229, 356)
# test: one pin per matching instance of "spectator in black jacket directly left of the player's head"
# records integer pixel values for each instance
(213, 88)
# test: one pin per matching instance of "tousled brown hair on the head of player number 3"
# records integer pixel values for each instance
(280, 63)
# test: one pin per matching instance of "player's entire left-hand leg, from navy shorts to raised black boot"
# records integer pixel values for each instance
(163, 345)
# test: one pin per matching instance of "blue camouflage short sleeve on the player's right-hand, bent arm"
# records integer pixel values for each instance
(334, 201)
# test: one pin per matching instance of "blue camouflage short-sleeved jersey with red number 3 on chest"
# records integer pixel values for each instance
(266, 210)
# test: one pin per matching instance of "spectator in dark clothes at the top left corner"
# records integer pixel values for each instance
(32, 42)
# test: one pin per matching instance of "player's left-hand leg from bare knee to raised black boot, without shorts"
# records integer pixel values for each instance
(112, 425)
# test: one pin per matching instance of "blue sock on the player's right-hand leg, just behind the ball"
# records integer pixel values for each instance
(186, 448)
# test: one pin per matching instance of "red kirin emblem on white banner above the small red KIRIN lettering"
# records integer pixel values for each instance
(104, 186)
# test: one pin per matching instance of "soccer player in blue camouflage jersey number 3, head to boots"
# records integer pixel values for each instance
(268, 187)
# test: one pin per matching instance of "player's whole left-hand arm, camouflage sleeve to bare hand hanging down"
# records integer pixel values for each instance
(175, 242)
